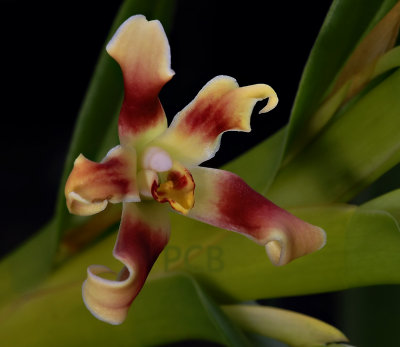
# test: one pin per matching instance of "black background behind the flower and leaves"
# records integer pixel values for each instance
(48, 53)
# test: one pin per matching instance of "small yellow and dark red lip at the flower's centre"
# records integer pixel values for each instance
(177, 188)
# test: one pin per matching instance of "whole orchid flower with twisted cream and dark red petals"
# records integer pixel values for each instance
(155, 167)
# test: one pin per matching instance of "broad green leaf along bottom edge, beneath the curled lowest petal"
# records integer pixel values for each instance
(170, 309)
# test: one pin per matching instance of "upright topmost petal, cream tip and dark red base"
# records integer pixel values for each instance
(141, 49)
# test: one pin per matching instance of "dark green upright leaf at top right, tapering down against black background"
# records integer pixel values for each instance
(347, 22)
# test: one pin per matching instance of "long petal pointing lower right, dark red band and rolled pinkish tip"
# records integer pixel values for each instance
(223, 199)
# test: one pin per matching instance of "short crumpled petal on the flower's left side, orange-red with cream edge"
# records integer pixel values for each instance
(91, 185)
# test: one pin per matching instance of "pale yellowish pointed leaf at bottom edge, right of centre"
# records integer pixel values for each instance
(295, 329)
